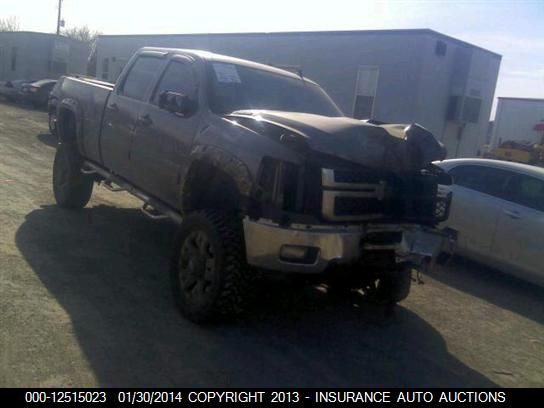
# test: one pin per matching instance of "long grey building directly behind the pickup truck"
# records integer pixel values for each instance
(402, 76)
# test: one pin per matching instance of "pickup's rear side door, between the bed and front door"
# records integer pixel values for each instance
(122, 110)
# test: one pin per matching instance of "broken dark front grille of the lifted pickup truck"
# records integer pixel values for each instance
(363, 195)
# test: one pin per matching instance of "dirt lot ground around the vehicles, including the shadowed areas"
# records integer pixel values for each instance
(85, 301)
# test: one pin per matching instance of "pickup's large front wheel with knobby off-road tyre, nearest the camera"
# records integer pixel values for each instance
(209, 274)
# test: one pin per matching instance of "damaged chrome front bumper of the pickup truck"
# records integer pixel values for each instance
(311, 248)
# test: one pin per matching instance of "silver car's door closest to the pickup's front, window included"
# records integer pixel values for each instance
(475, 209)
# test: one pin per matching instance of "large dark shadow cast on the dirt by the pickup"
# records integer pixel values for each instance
(107, 267)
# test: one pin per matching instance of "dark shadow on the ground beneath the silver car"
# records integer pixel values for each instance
(504, 291)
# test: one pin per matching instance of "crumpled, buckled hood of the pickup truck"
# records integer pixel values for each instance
(396, 147)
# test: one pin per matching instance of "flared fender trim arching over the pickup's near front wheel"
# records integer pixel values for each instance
(224, 161)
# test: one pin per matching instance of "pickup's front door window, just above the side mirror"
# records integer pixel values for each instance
(179, 77)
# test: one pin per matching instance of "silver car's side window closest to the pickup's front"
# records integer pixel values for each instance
(486, 180)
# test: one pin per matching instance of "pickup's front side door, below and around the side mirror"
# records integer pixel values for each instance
(163, 139)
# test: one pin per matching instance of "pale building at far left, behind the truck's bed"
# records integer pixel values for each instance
(29, 55)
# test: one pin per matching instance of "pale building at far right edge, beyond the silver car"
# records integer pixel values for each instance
(518, 119)
